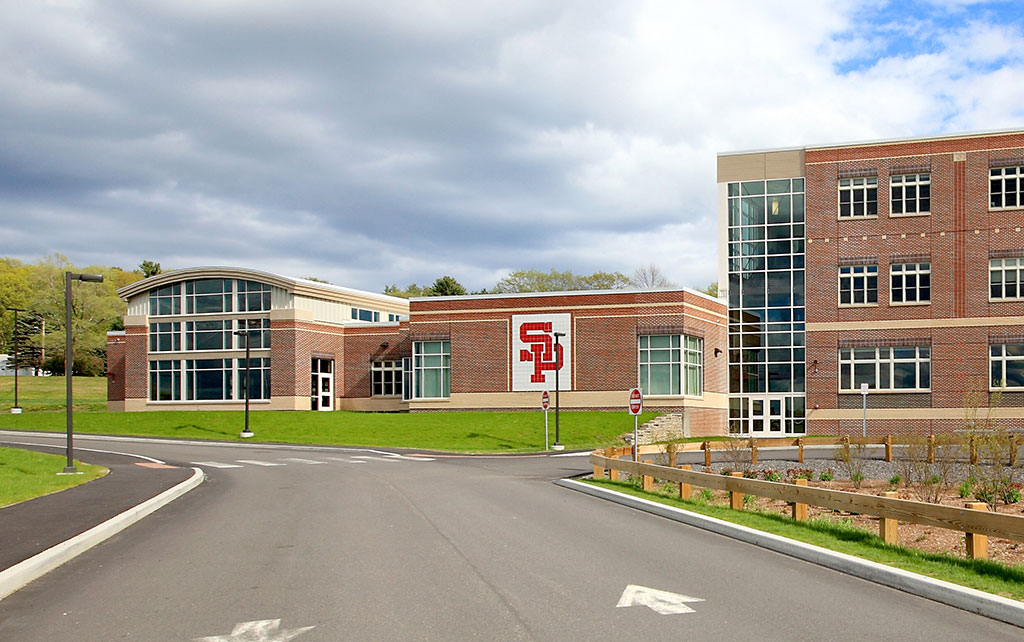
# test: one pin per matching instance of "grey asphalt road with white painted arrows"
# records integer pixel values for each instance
(368, 547)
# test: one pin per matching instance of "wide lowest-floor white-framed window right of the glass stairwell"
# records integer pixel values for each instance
(886, 369)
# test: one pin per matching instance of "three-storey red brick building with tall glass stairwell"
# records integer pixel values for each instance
(895, 265)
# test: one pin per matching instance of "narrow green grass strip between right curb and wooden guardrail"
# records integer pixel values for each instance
(838, 536)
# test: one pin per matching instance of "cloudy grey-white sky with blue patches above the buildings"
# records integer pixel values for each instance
(377, 143)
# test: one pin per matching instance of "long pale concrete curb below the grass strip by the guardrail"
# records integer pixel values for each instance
(995, 607)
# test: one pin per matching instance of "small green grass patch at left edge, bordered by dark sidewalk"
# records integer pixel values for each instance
(27, 475)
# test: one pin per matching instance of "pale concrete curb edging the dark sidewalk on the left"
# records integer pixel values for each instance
(28, 571)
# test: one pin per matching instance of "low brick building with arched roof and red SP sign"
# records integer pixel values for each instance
(316, 347)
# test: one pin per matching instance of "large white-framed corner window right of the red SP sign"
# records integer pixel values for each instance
(671, 365)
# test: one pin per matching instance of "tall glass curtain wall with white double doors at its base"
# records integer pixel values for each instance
(766, 307)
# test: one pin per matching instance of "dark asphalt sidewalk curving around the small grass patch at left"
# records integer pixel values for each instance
(34, 527)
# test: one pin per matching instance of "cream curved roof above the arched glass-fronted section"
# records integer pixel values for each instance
(302, 287)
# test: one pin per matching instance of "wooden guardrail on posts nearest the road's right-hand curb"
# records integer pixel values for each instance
(971, 522)
